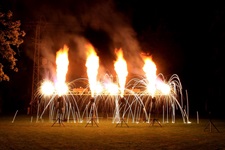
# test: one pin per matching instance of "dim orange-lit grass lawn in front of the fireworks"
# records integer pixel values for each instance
(24, 134)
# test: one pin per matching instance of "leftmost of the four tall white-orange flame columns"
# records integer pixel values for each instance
(62, 63)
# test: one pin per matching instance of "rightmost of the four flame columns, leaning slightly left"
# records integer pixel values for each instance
(150, 72)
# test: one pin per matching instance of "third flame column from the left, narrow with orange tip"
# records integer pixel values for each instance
(121, 70)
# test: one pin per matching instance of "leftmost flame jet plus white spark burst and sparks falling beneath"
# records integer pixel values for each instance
(60, 88)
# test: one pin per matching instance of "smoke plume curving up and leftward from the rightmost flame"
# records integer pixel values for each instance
(103, 16)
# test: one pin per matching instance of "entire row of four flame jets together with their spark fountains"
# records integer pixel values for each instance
(87, 97)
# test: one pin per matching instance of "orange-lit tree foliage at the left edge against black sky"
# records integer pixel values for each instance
(10, 39)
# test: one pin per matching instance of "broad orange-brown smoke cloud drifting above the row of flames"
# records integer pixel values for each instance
(70, 22)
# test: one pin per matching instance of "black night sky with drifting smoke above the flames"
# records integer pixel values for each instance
(185, 38)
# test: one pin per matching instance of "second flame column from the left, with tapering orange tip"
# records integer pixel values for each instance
(92, 65)
